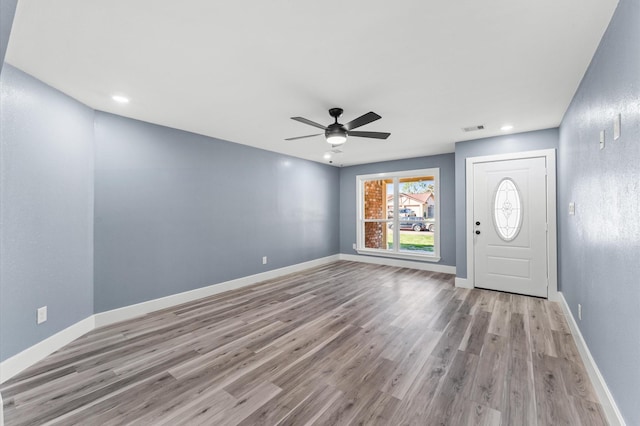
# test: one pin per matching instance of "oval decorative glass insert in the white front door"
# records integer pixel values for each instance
(507, 210)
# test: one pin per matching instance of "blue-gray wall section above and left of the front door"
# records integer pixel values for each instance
(529, 141)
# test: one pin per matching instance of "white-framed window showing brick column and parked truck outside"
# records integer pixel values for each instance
(398, 214)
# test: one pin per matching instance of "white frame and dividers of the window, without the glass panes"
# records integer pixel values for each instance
(396, 253)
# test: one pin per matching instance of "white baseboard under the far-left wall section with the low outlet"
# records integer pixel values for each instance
(19, 362)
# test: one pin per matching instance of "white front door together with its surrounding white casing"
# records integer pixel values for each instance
(521, 260)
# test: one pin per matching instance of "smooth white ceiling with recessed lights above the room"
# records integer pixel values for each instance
(237, 70)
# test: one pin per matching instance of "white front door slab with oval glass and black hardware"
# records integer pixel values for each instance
(510, 226)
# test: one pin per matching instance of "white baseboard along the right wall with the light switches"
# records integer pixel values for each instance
(609, 406)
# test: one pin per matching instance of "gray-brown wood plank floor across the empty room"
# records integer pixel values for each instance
(345, 343)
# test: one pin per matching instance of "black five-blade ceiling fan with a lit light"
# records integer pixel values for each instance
(336, 133)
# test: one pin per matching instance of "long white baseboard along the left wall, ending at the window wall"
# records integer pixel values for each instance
(132, 311)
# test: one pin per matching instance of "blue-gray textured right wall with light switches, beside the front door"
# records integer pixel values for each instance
(600, 246)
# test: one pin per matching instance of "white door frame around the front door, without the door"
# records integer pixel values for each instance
(552, 225)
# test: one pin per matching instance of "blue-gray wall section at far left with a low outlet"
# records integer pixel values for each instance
(46, 210)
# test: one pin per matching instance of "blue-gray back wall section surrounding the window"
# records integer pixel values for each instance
(348, 202)
